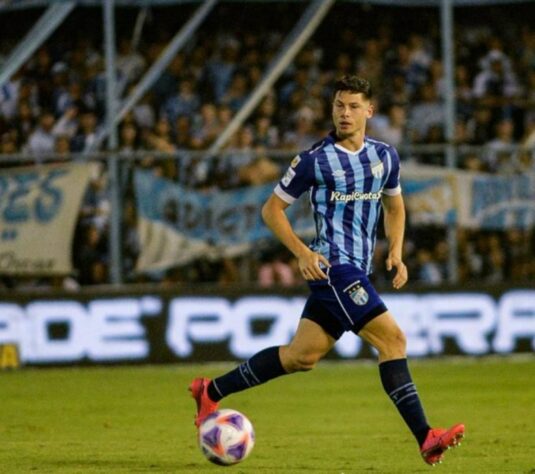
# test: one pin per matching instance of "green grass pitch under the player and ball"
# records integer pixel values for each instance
(335, 419)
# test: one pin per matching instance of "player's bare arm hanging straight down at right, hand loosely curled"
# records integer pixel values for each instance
(394, 220)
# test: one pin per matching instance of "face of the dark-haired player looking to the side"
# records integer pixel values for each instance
(350, 112)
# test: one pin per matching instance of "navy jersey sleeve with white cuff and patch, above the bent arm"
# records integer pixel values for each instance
(297, 179)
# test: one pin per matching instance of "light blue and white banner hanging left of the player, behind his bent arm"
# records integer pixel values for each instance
(177, 225)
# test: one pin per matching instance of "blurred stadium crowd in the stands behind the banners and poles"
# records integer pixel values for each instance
(55, 104)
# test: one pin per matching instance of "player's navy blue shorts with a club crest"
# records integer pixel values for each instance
(346, 301)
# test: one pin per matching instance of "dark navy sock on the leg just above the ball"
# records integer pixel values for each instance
(263, 366)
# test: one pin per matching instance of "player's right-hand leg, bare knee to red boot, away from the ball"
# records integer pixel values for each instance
(384, 334)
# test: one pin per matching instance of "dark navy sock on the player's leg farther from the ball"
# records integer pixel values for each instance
(397, 383)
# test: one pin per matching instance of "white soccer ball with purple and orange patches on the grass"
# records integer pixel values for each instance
(226, 437)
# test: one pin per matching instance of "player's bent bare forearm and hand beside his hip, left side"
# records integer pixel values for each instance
(274, 215)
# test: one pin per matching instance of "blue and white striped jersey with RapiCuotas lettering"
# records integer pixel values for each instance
(345, 193)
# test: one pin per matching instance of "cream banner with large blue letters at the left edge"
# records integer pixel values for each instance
(39, 206)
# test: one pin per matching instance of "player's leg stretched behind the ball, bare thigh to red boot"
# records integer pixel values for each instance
(309, 344)
